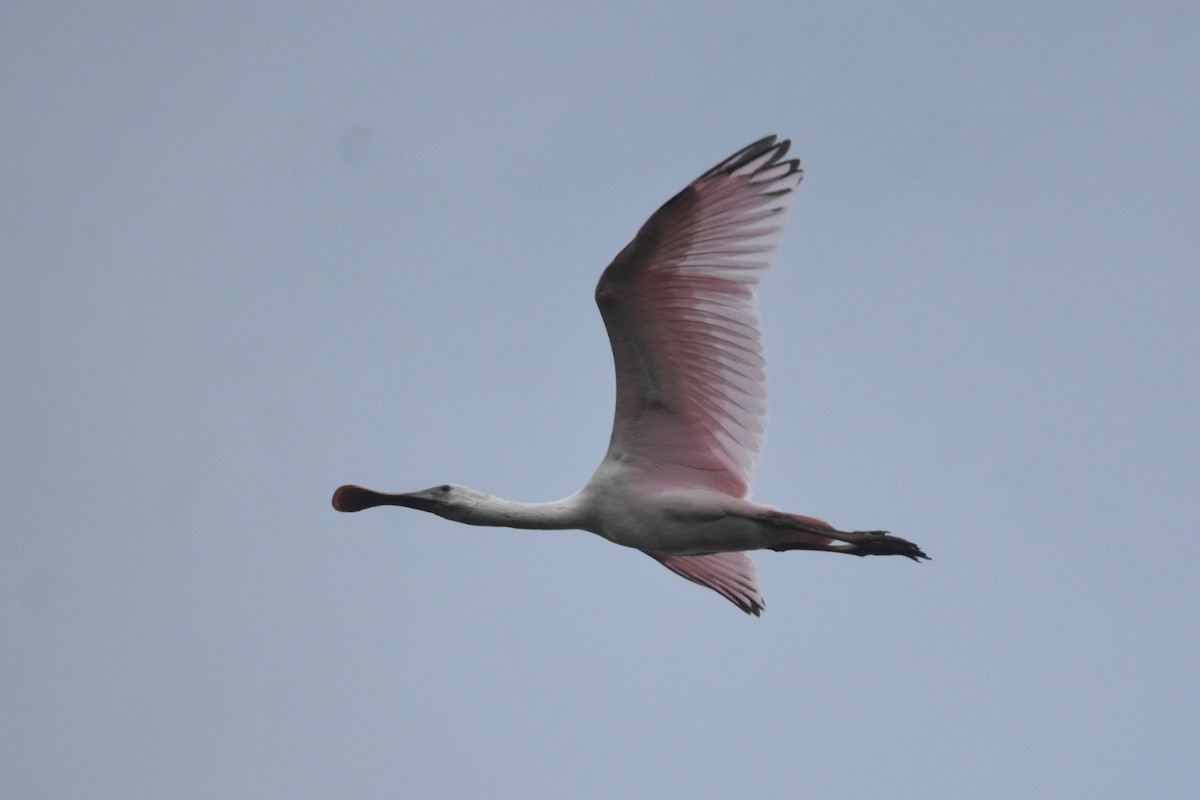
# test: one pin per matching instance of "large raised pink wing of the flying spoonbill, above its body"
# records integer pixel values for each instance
(680, 308)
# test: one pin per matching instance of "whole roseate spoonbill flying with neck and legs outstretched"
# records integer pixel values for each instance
(680, 308)
